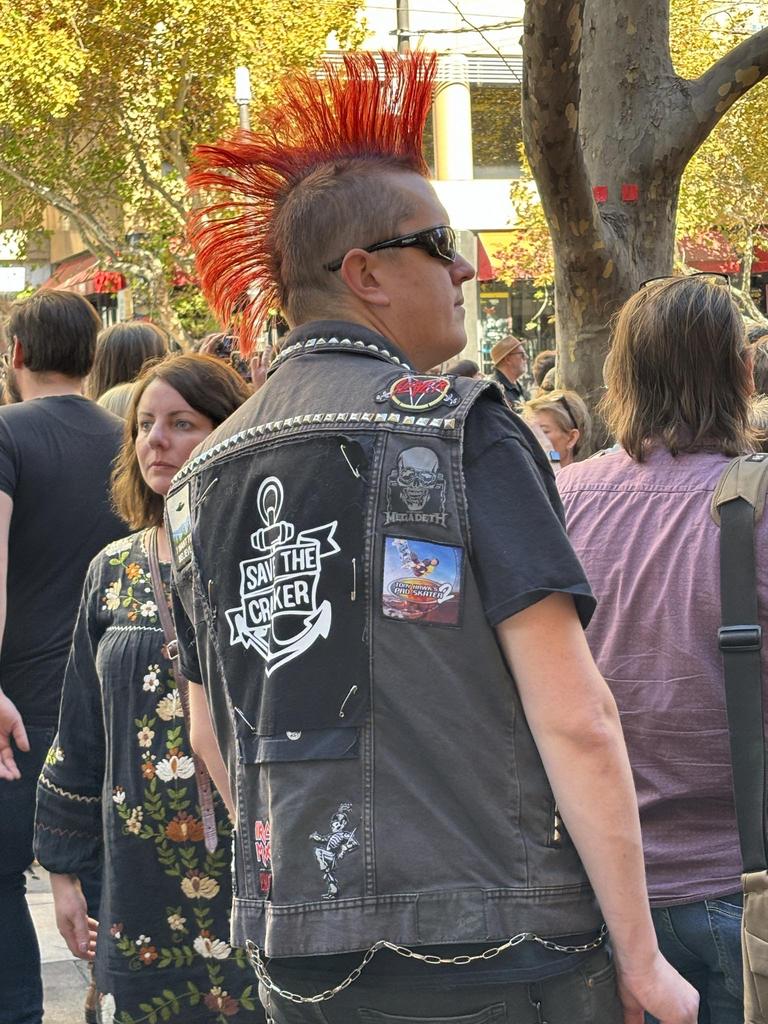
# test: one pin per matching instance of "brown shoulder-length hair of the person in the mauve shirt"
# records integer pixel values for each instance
(678, 373)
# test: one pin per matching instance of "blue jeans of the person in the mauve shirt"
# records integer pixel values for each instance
(704, 943)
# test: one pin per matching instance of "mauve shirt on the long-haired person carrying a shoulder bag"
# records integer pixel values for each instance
(651, 549)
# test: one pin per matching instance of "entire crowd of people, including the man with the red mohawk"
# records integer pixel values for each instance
(467, 715)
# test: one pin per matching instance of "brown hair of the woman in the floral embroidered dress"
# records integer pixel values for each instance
(210, 387)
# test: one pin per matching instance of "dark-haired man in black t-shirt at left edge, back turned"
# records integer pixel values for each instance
(57, 450)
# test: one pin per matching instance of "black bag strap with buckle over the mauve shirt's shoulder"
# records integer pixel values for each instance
(738, 504)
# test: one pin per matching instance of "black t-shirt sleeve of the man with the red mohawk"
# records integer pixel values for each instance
(521, 552)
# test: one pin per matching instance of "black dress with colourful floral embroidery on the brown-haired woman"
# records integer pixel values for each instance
(120, 779)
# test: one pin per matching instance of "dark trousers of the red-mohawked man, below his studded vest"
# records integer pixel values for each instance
(585, 996)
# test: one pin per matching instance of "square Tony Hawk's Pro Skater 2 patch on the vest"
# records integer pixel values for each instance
(422, 582)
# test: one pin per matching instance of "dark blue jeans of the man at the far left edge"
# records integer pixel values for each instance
(21, 983)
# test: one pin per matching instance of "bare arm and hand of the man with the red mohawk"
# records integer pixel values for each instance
(575, 722)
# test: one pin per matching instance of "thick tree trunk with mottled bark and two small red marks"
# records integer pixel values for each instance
(604, 110)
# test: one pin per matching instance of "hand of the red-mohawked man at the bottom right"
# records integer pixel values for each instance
(661, 992)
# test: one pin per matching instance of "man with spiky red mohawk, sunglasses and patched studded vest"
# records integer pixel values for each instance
(348, 238)
